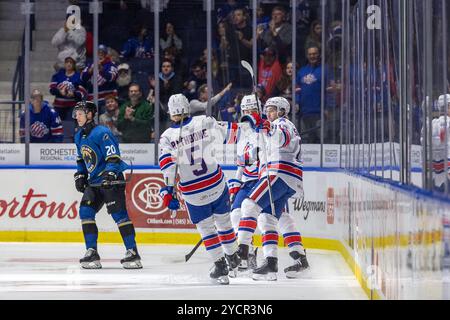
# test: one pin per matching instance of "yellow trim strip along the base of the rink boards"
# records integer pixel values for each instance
(183, 238)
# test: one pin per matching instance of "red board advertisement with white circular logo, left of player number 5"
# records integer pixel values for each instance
(145, 206)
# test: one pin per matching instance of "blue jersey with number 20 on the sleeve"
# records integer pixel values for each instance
(94, 151)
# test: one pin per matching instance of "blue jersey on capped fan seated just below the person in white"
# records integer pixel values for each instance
(67, 84)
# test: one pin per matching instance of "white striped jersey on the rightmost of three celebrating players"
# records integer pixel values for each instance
(283, 154)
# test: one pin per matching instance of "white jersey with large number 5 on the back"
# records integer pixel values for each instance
(201, 178)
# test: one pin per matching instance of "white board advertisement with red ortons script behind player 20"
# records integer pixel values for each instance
(42, 200)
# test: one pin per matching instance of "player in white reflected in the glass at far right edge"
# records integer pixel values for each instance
(440, 152)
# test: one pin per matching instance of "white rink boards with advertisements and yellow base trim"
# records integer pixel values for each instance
(395, 240)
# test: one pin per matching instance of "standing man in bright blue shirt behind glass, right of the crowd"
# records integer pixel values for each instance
(309, 79)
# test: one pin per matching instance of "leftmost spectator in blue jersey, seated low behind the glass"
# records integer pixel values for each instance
(45, 124)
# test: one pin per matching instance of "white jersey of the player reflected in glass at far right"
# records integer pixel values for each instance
(439, 153)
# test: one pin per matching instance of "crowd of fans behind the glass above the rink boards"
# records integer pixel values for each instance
(126, 85)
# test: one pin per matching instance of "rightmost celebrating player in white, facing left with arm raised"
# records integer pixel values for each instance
(281, 154)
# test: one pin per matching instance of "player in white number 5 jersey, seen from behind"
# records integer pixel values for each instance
(188, 143)
